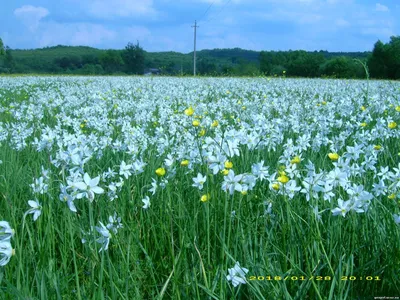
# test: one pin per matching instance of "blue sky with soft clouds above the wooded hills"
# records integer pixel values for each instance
(165, 25)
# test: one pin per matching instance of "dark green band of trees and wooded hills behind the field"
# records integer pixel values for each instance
(383, 62)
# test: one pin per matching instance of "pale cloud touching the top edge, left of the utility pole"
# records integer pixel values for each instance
(121, 8)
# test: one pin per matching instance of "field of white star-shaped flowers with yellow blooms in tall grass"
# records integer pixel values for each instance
(199, 188)
